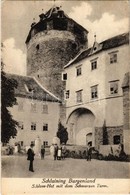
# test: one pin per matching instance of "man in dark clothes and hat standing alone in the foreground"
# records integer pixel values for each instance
(30, 157)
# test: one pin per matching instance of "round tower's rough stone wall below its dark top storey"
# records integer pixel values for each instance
(46, 56)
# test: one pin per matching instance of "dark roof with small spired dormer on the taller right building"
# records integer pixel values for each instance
(105, 45)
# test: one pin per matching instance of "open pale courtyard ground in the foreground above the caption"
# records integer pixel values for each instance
(17, 166)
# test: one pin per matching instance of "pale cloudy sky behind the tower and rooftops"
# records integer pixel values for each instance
(103, 18)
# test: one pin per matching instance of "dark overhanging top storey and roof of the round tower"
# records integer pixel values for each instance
(56, 19)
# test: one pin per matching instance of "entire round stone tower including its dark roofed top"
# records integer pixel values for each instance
(51, 44)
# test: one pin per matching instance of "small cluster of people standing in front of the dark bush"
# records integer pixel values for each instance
(58, 152)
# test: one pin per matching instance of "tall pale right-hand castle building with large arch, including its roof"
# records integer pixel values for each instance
(97, 93)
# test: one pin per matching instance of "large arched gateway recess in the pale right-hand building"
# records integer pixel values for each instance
(80, 125)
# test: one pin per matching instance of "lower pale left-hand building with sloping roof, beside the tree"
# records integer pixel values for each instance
(37, 112)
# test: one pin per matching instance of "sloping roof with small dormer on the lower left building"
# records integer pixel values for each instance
(29, 87)
